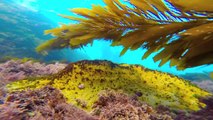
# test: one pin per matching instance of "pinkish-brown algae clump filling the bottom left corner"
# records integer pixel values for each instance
(43, 104)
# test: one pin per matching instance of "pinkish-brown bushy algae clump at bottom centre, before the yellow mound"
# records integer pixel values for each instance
(113, 105)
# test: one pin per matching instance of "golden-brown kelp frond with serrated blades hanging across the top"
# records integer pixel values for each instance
(180, 31)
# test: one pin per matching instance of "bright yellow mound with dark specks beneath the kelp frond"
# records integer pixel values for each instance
(81, 83)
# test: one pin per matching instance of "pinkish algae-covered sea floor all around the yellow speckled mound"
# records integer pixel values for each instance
(49, 102)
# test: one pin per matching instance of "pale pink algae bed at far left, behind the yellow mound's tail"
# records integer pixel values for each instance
(15, 70)
